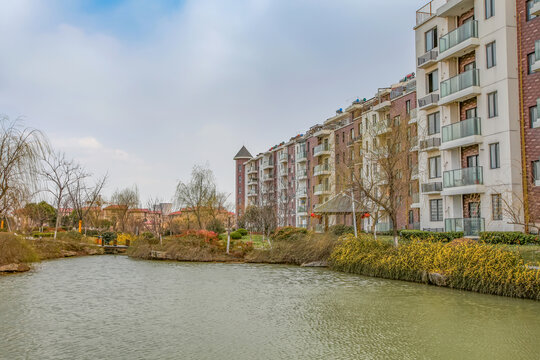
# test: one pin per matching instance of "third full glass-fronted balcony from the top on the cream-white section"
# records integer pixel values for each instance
(463, 133)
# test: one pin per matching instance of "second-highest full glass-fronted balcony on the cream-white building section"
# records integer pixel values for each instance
(461, 87)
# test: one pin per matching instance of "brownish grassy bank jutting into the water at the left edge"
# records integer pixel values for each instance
(17, 253)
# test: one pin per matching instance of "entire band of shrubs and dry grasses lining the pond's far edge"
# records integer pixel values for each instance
(461, 263)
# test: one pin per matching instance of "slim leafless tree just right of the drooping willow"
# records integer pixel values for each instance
(59, 173)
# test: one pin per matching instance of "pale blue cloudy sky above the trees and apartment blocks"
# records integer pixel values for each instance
(144, 90)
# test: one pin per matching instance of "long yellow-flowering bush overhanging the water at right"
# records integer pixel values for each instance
(466, 265)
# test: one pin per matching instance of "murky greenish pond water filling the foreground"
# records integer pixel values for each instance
(113, 307)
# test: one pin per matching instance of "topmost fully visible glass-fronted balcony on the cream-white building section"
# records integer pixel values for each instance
(459, 41)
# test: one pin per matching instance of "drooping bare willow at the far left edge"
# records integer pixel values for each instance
(21, 150)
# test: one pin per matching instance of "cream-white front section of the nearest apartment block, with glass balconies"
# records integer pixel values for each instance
(468, 111)
